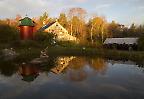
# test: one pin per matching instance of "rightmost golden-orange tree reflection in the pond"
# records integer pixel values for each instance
(98, 64)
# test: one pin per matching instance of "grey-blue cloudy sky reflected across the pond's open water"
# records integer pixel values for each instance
(120, 80)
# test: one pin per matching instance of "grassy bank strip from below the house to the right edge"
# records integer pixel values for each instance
(104, 53)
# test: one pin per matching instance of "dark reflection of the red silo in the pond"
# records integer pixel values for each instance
(28, 72)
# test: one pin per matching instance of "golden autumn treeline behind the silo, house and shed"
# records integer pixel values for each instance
(89, 31)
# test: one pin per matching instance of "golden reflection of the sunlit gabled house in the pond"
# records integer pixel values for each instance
(62, 63)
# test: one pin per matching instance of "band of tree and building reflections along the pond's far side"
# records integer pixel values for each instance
(75, 67)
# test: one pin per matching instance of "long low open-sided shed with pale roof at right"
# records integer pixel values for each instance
(121, 43)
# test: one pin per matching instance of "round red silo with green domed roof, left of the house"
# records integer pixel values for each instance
(26, 28)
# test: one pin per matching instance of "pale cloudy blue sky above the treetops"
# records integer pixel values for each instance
(122, 11)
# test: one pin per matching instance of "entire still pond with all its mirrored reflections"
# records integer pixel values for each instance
(72, 78)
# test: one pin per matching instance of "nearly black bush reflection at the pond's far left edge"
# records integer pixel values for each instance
(7, 68)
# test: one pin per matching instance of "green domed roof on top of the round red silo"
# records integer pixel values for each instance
(26, 22)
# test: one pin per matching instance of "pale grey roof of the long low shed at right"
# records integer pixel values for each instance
(121, 41)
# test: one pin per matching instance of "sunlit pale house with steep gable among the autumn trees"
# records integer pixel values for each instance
(59, 31)
